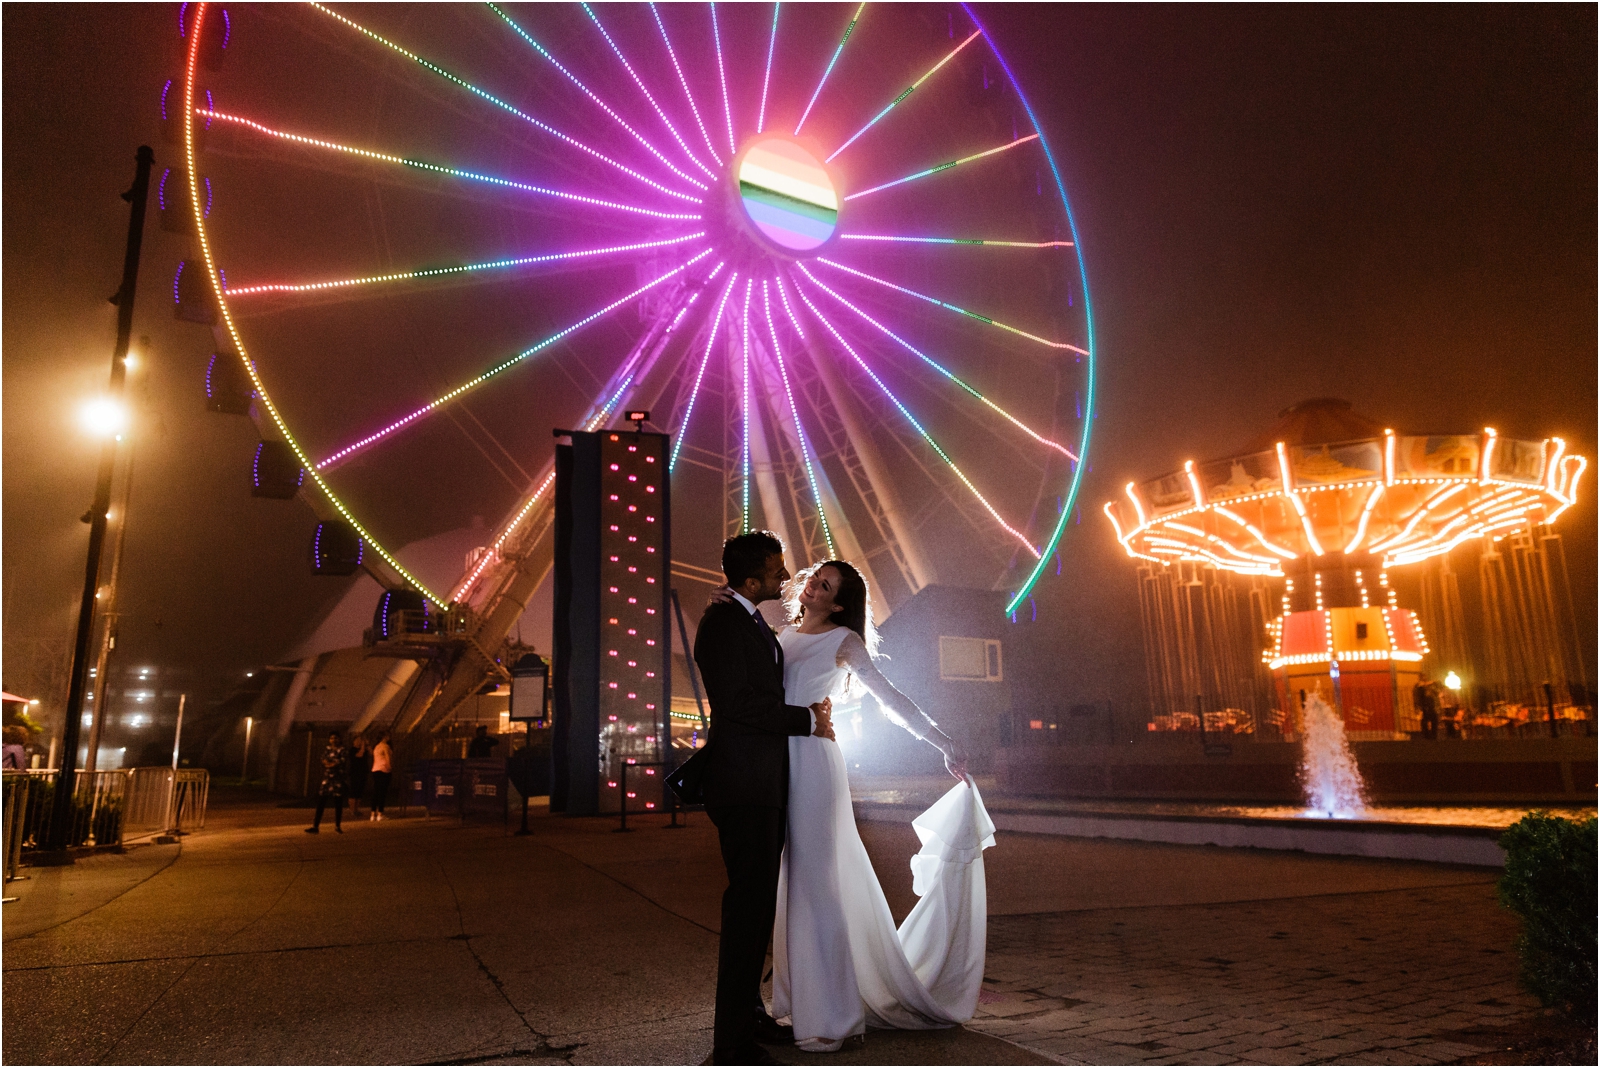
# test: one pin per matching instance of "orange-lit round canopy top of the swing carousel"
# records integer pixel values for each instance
(1327, 482)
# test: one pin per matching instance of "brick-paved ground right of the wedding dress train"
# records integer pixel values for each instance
(1361, 979)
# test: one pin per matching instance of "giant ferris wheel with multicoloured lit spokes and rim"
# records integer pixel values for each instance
(826, 249)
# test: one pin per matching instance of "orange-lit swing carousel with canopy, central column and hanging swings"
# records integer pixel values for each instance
(1332, 503)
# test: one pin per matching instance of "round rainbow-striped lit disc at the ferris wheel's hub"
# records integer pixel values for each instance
(788, 196)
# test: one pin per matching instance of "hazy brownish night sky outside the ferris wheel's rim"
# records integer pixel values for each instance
(1388, 205)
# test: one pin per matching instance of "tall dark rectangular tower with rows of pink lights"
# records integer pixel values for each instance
(614, 669)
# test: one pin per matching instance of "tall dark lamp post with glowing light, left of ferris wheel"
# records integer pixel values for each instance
(66, 781)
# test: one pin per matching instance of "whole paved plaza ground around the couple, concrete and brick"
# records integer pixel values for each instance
(436, 942)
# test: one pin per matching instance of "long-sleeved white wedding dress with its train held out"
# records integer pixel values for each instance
(839, 965)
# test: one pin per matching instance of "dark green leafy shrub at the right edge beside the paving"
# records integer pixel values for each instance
(1551, 885)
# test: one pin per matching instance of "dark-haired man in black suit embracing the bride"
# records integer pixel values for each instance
(746, 783)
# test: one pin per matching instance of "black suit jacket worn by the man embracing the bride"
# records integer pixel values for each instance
(748, 749)
